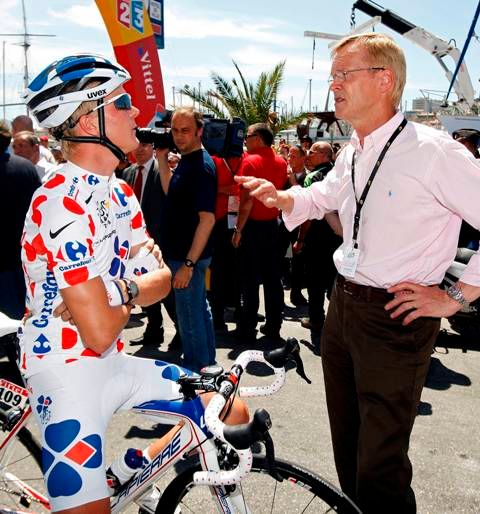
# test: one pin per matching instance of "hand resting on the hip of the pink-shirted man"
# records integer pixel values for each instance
(422, 301)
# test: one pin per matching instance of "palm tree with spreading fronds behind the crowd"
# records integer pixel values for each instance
(251, 102)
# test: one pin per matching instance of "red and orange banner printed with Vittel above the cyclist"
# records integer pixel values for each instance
(133, 40)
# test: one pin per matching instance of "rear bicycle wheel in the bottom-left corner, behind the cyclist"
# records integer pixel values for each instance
(21, 479)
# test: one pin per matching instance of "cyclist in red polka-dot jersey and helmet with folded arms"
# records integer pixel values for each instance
(83, 245)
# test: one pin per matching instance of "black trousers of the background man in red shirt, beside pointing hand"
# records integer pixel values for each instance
(259, 263)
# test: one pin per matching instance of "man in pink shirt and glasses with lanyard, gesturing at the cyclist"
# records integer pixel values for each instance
(401, 191)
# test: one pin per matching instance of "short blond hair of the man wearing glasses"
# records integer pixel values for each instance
(383, 52)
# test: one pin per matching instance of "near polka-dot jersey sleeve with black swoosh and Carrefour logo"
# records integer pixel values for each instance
(64, 239)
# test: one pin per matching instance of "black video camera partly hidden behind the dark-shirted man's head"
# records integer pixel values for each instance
(223, 138)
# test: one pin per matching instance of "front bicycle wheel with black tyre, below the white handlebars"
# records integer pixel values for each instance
(301, 491)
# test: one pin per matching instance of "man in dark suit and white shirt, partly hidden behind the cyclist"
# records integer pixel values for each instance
(143, 177)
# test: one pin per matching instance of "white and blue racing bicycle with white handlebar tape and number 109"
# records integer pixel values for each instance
(219, 468)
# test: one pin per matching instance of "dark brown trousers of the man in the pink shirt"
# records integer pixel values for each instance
(374, 371)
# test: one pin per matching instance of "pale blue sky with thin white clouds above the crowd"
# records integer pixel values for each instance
(206, 35)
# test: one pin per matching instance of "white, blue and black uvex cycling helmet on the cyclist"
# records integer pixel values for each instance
(46, 97)
